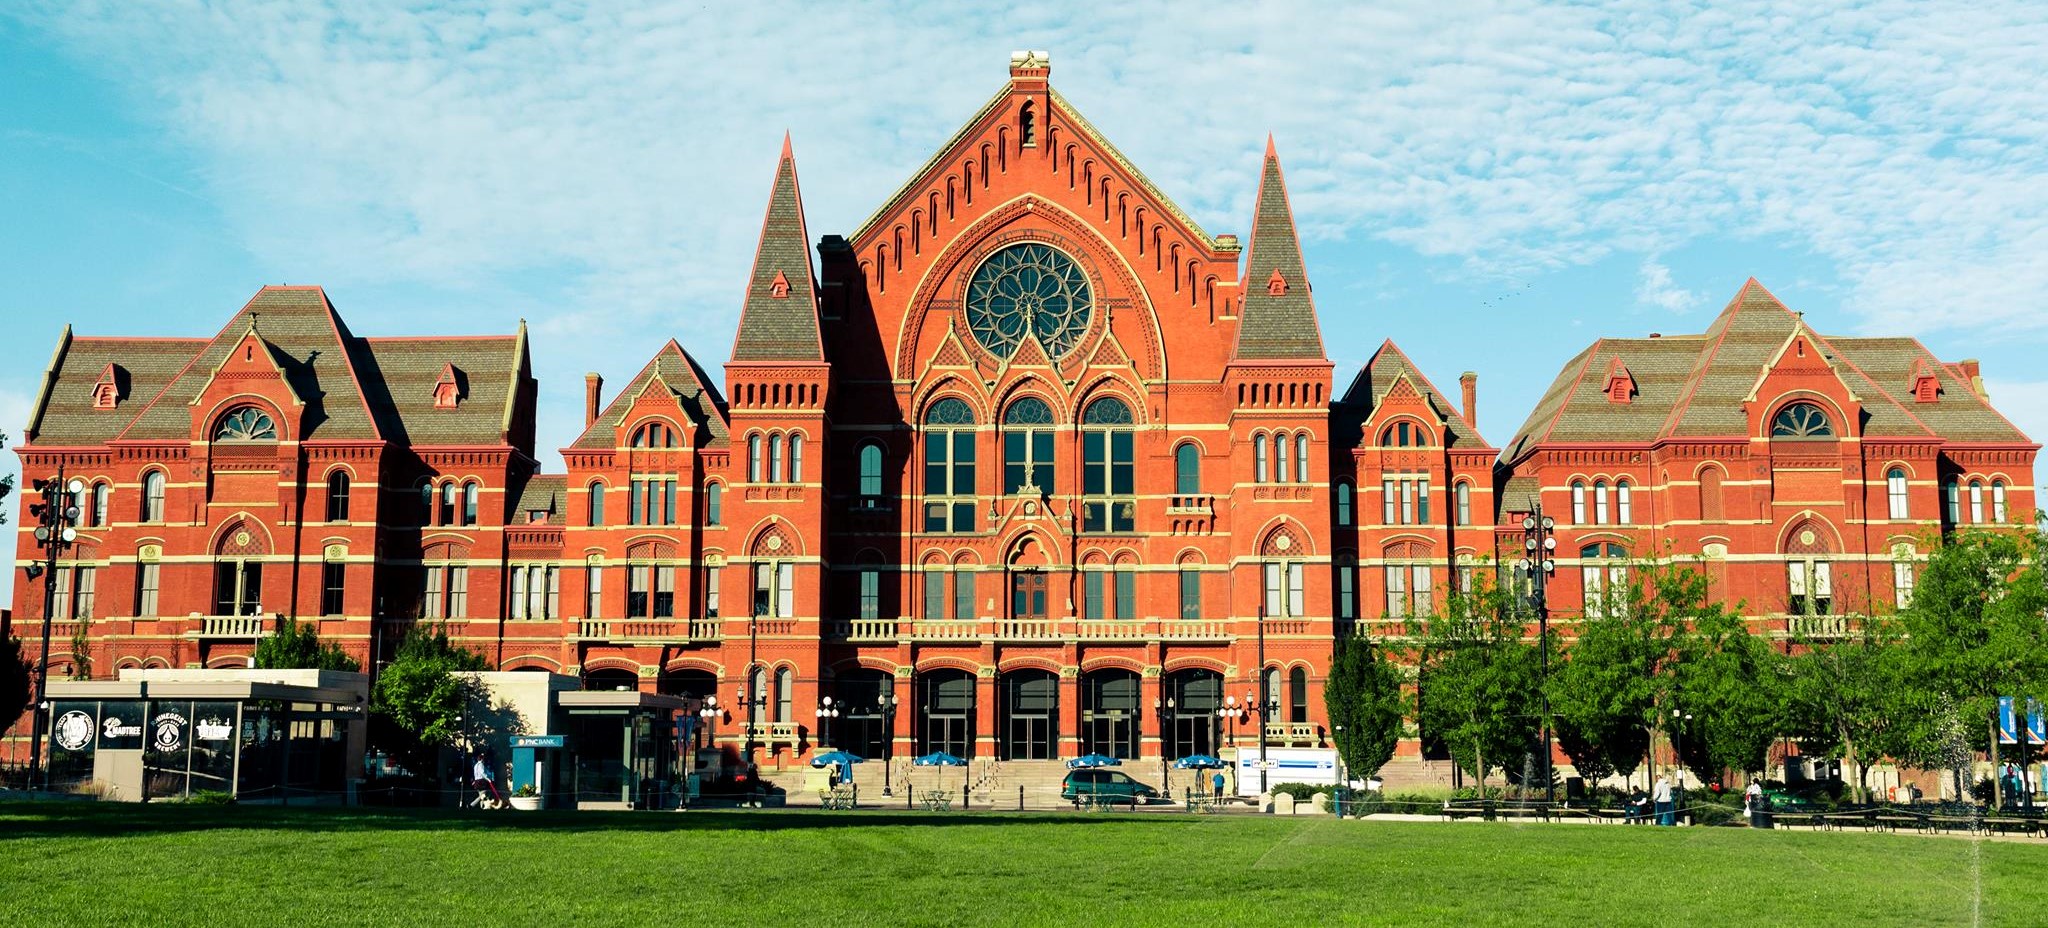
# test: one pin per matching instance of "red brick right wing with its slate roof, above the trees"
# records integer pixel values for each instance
(1807, 472)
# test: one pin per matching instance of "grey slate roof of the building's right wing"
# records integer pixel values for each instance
(1695, 386)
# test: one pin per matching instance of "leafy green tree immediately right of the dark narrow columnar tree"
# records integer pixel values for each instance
(1480, 681)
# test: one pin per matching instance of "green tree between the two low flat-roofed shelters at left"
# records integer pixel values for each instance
(419, 704)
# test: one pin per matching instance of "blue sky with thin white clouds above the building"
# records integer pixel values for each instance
(1490, 185)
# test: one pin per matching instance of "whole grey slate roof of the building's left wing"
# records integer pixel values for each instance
(353, 388)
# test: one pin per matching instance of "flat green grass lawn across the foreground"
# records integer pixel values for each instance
(110, 863)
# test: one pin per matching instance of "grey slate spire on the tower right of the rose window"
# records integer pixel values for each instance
(1279, 314)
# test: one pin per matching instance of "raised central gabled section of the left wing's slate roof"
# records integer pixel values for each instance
(312, 349)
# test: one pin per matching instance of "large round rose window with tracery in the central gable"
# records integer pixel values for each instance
(1029, 290)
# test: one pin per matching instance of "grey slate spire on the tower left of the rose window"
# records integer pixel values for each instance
(779, 321)
